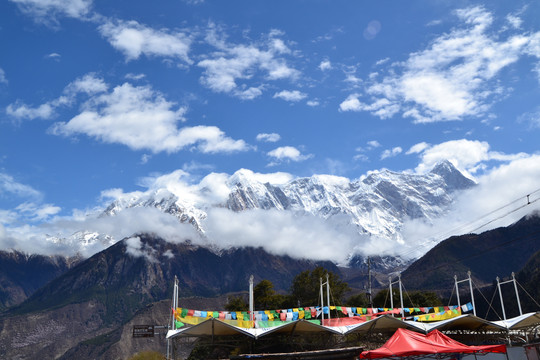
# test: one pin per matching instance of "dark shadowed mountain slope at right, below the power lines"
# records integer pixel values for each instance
(497, 252)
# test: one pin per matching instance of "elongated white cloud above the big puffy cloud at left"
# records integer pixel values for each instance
(134, 39)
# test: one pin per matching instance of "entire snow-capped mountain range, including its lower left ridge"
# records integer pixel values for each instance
(376, 204)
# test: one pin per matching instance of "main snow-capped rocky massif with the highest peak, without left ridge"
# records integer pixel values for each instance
(377, 204)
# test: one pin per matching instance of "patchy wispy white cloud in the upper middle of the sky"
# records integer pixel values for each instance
(232, 64)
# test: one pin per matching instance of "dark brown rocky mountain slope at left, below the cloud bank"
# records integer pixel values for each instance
(105, 291)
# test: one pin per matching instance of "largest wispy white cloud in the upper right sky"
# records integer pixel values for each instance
(453, 78)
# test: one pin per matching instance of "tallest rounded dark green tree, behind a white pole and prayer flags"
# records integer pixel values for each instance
(305, 288)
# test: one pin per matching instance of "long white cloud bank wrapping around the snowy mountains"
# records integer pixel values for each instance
(502, 187)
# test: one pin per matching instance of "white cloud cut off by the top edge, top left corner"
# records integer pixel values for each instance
(48, 10)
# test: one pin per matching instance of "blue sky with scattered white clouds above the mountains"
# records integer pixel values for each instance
(98, 95)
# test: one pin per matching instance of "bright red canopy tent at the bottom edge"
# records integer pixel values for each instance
(409, 343)
